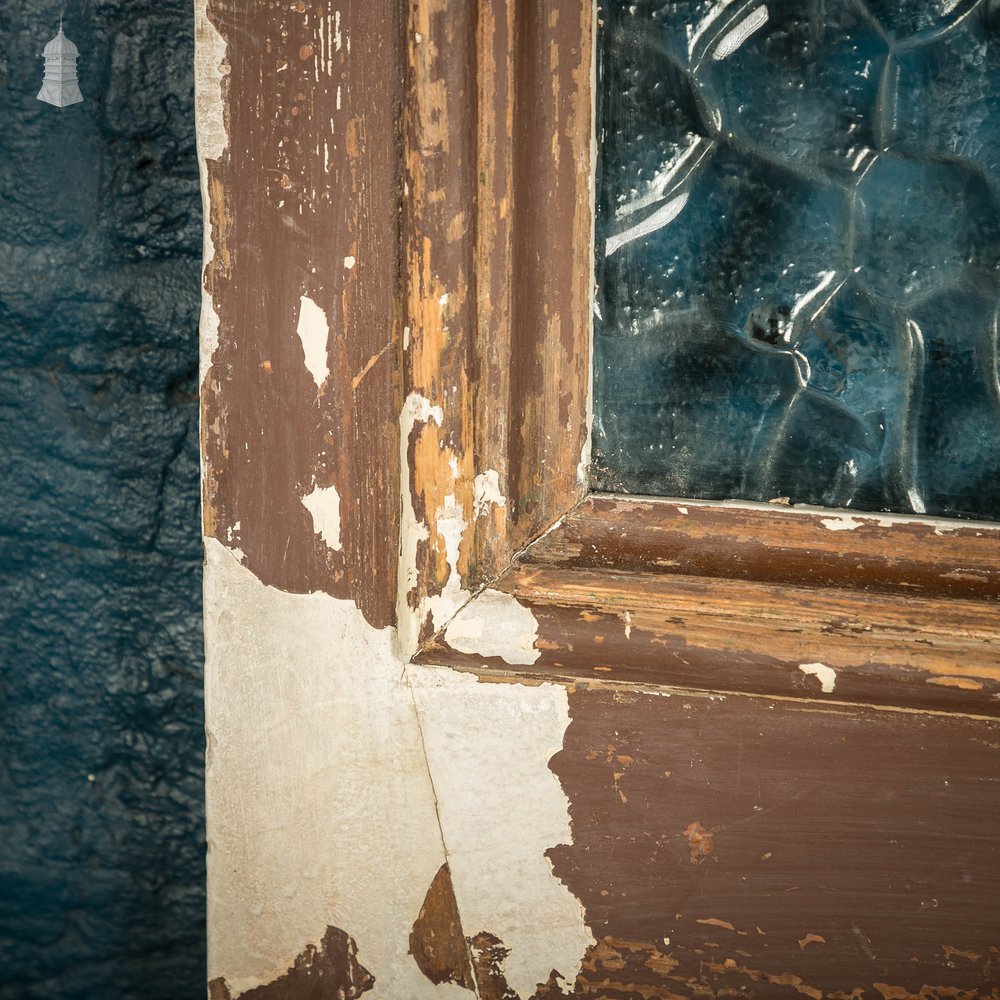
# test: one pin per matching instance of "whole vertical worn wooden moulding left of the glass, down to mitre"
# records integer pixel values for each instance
(496, 376)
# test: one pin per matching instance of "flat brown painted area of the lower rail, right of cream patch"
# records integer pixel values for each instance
(878, 830)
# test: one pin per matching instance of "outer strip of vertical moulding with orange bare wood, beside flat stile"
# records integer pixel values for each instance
(439, 164)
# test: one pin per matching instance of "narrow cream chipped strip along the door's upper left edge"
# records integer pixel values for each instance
(210, 68)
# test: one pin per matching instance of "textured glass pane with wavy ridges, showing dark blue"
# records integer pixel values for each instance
(799, 253)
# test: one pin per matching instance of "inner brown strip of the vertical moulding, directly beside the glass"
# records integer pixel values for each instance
(552, 265)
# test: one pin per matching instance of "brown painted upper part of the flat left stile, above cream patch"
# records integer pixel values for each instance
(290, 199)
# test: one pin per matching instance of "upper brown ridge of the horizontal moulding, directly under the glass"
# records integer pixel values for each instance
(769, 543)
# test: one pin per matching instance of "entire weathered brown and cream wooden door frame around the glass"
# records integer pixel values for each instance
(399, 313)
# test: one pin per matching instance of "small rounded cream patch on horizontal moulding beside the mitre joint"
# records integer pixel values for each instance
(494, 624)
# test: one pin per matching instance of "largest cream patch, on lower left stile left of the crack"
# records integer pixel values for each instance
(320, 807)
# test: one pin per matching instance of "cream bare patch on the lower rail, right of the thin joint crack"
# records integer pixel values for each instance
(501, 807)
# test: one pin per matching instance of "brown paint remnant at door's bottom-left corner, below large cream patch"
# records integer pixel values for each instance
(330, 972)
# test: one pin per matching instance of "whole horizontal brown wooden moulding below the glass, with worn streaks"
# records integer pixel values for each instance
(722, 598)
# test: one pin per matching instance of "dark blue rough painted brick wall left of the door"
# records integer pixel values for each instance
(101, 863)
